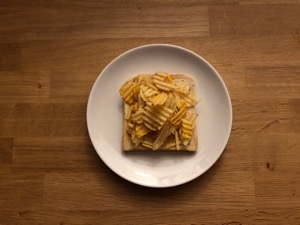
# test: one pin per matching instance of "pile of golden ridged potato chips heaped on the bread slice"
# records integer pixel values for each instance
(156, 108)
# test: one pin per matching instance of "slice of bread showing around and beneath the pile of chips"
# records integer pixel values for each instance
(169, 141)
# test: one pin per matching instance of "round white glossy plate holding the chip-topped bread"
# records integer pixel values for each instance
(159, 169)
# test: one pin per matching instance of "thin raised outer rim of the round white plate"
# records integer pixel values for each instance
(182, 49)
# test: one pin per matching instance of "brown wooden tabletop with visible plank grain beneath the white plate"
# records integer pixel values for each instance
(51, 52)
